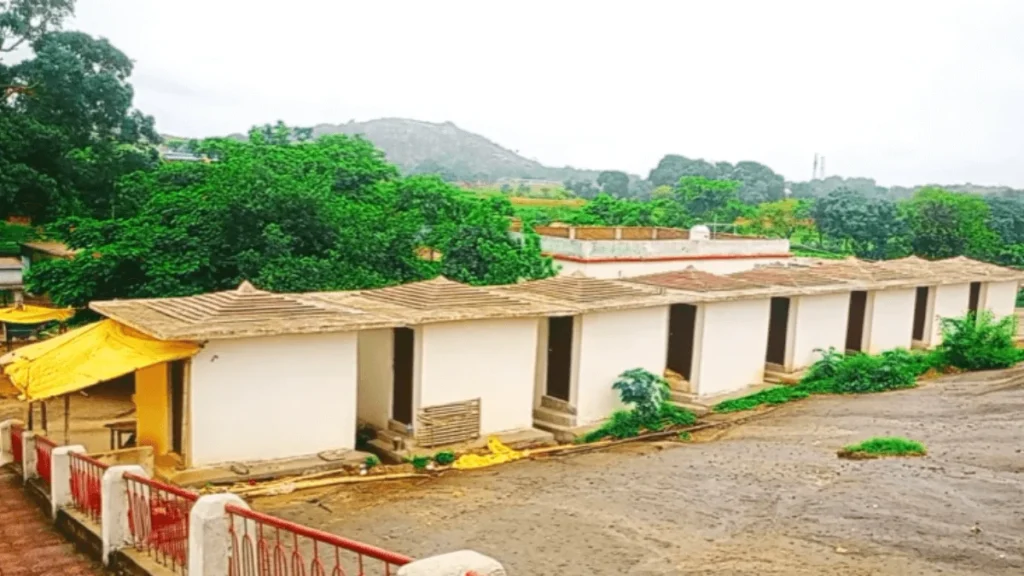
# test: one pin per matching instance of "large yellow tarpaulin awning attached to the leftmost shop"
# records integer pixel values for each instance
(86, 357)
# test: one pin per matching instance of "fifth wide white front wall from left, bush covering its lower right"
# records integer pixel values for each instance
(816, 322)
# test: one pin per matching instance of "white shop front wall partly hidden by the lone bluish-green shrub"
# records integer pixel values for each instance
(610, 344)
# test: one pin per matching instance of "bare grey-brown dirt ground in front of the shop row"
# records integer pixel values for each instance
(769, 497)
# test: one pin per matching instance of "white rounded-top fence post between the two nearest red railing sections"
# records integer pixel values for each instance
(209, 536)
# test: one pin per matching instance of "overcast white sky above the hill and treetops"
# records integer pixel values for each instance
(906, 92)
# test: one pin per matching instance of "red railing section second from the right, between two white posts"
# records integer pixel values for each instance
(158, 520)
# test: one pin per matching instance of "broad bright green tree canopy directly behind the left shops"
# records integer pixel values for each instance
(316, 216)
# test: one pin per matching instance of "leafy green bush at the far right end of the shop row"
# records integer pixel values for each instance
(979, 343)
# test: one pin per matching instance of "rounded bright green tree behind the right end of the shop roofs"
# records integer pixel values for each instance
(946, 225)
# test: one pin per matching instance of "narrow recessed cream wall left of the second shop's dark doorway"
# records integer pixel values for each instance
(376, 377)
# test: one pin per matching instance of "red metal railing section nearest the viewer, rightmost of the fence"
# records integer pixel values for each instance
(265, 546)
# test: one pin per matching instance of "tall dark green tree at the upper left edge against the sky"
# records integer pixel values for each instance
(68, 131)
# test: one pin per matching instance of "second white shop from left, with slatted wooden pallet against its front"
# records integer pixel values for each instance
(460, 366)
